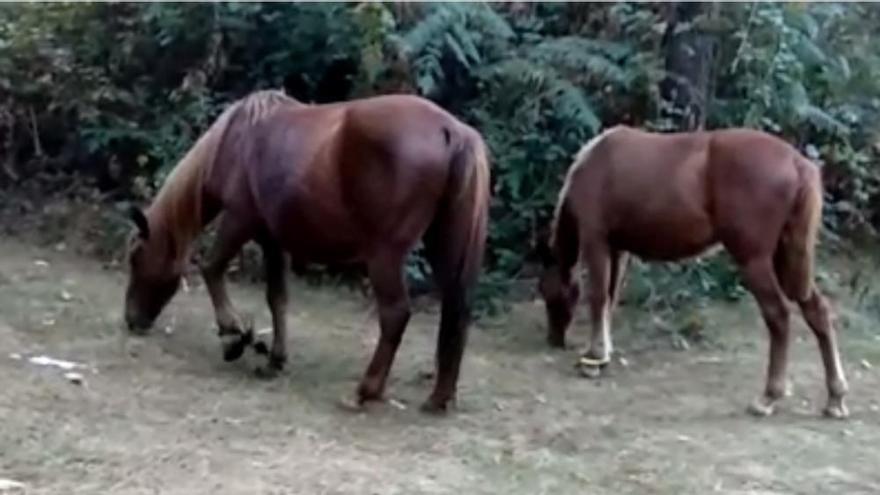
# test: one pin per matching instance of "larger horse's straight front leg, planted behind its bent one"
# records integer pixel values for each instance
(275, 266)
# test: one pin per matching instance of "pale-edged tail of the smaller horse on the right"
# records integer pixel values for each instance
(797, 244)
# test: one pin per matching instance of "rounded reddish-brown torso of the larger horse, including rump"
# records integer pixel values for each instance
(333, 181)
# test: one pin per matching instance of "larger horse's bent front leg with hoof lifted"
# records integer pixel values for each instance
(231, 236)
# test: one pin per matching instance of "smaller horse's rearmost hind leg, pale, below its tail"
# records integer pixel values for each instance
(816, 313)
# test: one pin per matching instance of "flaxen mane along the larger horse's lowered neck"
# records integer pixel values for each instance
(177, 209)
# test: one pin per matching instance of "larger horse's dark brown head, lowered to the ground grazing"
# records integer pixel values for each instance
(154, 274)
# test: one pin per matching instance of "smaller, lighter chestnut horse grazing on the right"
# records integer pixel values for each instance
(672, 196)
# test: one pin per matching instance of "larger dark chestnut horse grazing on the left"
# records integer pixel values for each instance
(360, 182)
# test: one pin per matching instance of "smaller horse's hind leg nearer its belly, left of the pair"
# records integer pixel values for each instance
(760, 279)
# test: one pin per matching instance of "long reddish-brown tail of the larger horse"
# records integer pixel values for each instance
(457, 237)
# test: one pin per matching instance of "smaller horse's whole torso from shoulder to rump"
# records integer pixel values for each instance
(668, 196)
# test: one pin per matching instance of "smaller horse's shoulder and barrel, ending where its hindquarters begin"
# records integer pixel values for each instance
(644, 193)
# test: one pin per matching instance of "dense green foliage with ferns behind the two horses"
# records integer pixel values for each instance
(116, 92)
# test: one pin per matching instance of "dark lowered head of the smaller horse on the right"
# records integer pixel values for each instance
(560, 291)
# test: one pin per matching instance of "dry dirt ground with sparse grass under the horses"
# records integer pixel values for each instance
(164, 414)
